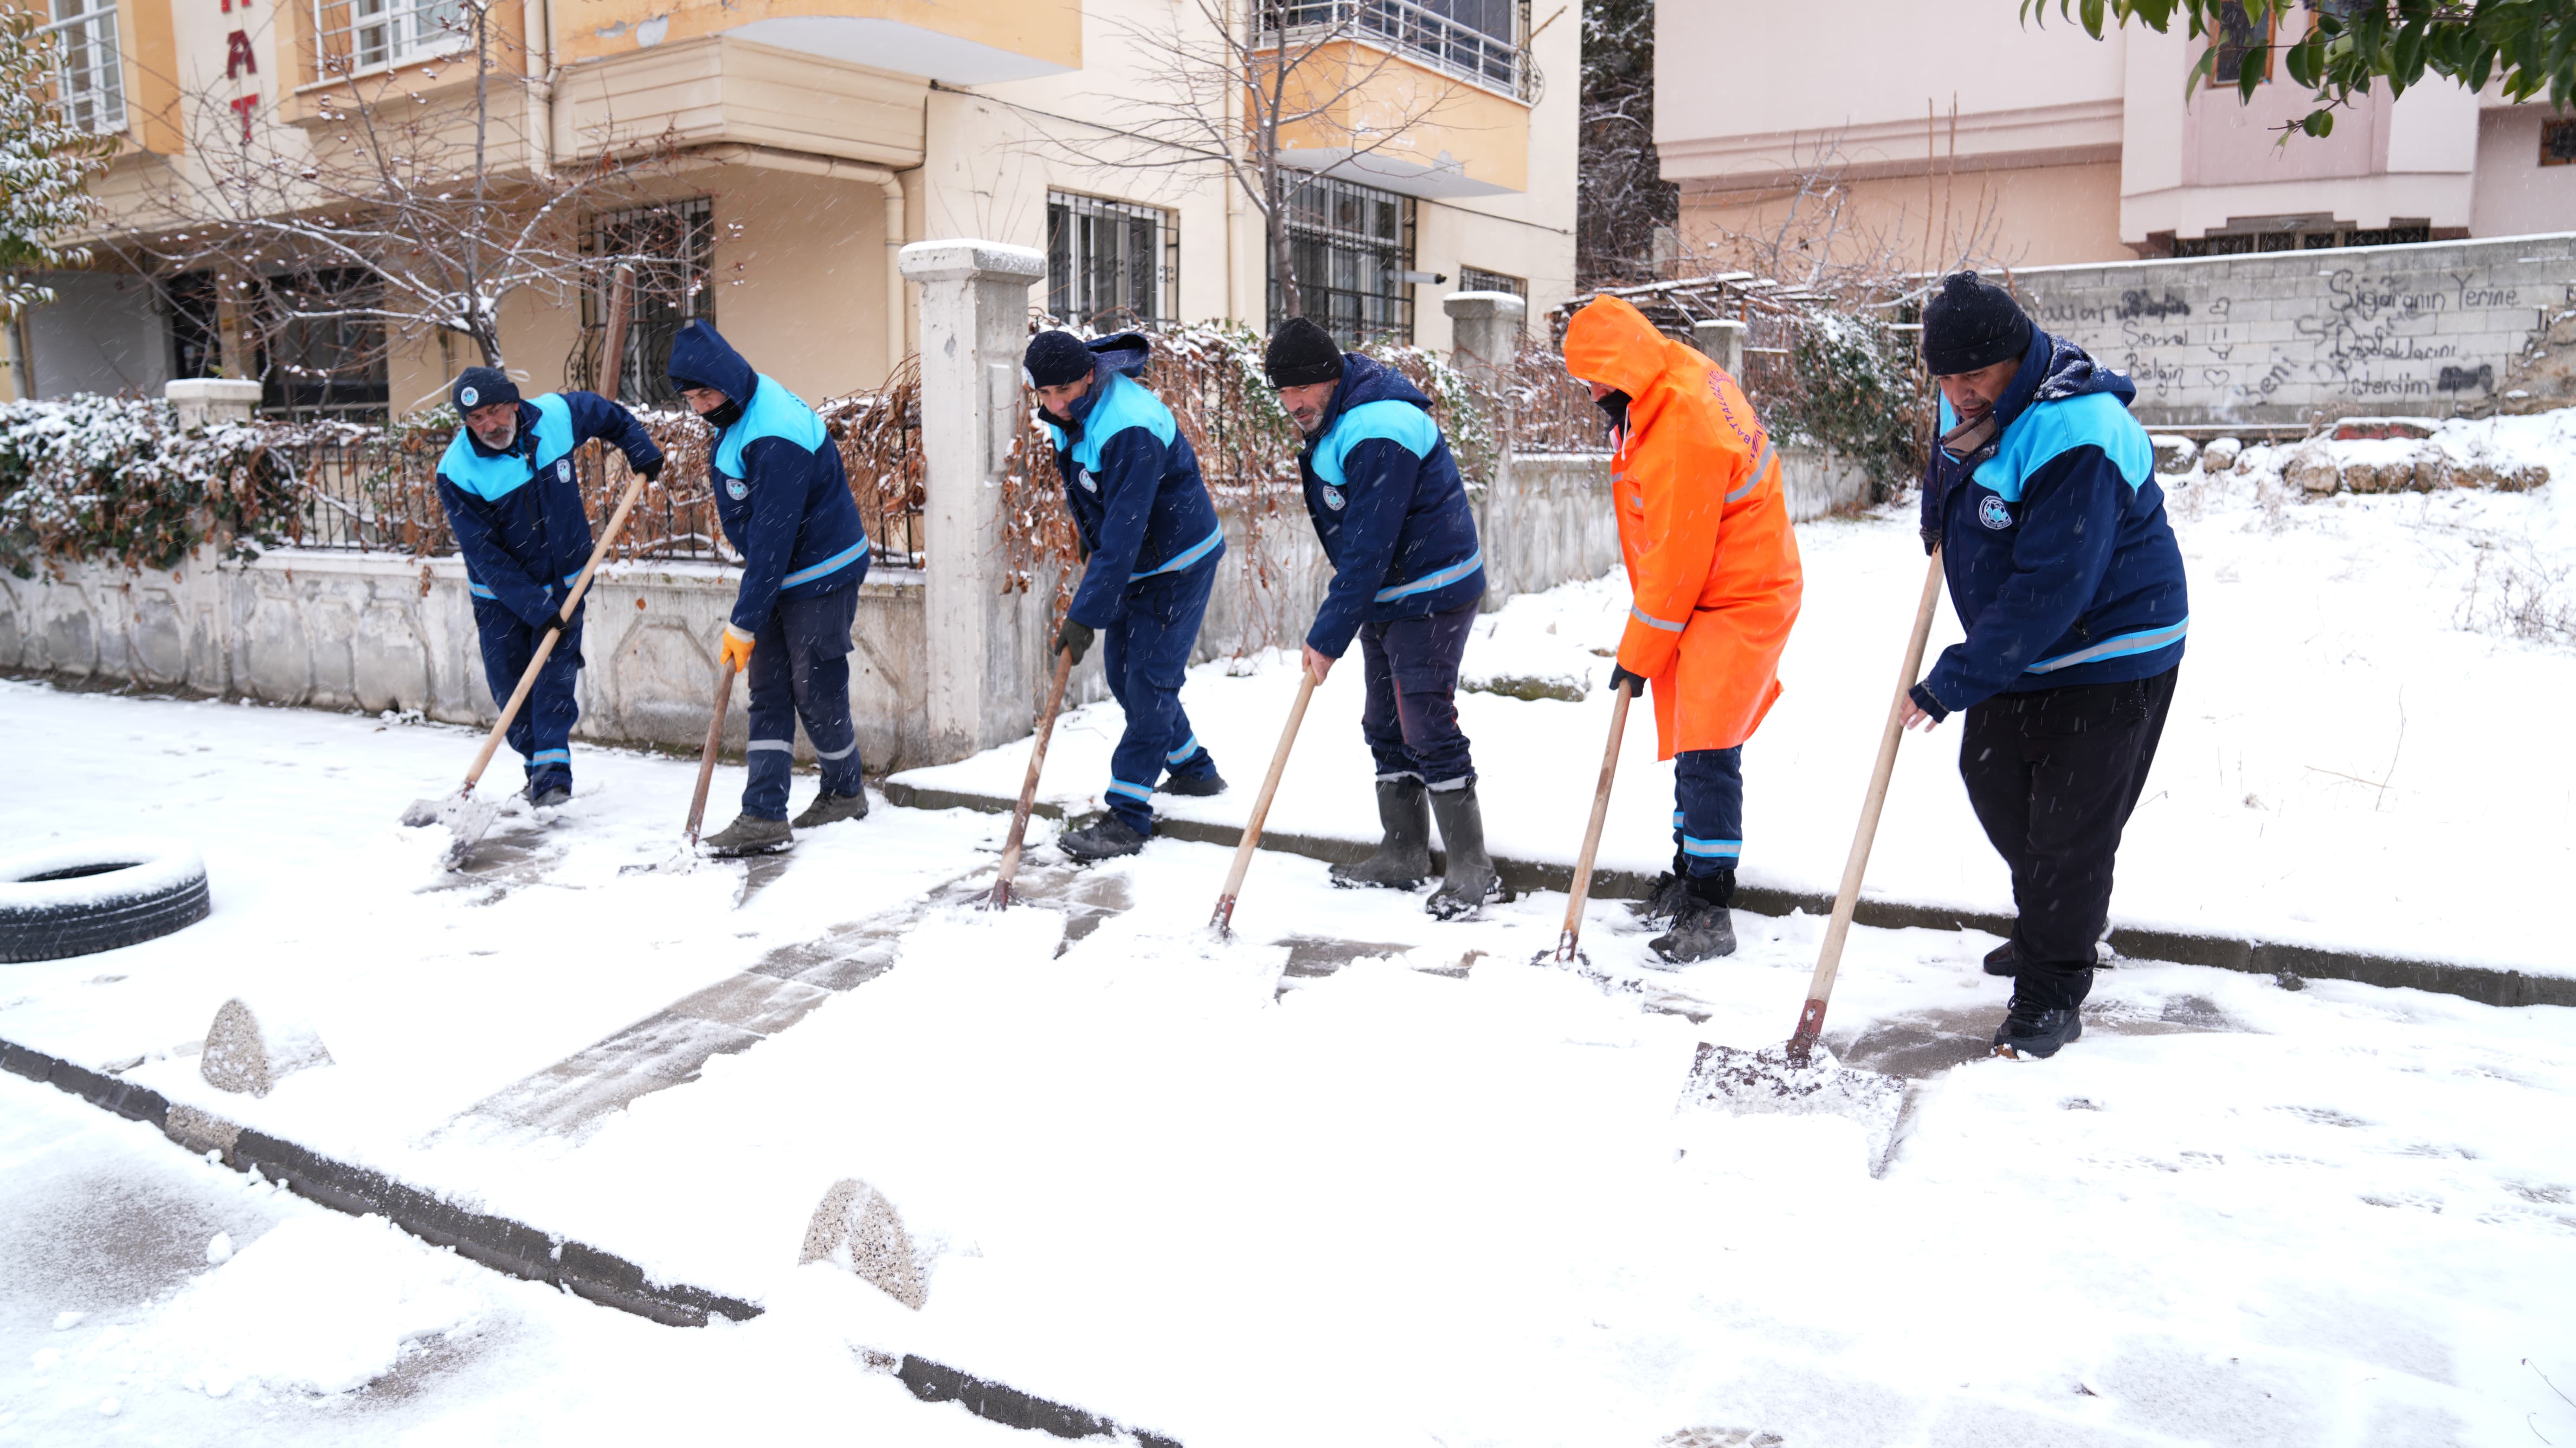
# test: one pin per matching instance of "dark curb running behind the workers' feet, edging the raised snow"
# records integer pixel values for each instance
(2485, 986)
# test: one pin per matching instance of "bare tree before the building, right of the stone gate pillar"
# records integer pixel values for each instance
(1245, 86)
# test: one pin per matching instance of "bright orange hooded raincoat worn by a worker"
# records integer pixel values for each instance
(1704, 527)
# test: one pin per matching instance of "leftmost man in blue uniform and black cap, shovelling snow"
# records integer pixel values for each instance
(516, 509)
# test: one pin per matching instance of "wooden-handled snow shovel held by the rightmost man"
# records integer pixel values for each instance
(1799, 1078)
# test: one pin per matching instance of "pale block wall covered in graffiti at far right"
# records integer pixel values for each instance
(2291, 339)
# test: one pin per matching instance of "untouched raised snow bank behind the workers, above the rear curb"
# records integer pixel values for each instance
(2358, 756)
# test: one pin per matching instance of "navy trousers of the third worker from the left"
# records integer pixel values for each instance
(1145, 656)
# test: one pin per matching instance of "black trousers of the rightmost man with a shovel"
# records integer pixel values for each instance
(2054, 777)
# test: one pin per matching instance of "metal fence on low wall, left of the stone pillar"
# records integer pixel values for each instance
(375, 488)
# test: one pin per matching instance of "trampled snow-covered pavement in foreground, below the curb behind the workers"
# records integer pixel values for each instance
(1359, 1179)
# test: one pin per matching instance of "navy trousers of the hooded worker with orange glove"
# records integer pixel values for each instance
(802, 671)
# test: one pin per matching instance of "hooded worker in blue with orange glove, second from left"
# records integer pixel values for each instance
(784, 504)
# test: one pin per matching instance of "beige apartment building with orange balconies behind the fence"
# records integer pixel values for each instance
(787, 148)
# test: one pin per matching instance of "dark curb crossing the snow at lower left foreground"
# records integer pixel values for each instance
(522, 1251)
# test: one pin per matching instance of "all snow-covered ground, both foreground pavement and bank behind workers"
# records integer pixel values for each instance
(1356, 1176)
